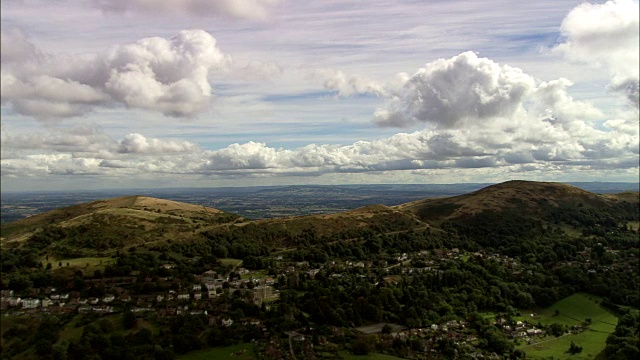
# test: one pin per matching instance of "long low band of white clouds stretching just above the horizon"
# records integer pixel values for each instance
(541, 143)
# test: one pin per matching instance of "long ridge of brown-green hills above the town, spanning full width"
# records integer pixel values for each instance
(492, 216)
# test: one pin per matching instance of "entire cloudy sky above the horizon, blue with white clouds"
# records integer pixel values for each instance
(107, 94)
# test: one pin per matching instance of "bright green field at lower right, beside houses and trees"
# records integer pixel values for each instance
(573, 310)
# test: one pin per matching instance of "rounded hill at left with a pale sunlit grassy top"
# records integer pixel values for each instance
(114, 223)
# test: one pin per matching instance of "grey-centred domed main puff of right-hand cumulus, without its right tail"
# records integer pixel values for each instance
(452, 92)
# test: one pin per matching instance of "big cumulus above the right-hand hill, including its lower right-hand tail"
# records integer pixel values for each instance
(467, 91)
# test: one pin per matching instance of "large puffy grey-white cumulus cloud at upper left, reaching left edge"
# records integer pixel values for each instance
(166, 75)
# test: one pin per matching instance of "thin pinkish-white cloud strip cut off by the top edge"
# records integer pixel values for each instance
(243, 9)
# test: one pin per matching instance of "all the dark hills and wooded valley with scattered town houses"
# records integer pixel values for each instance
(475, 275)
